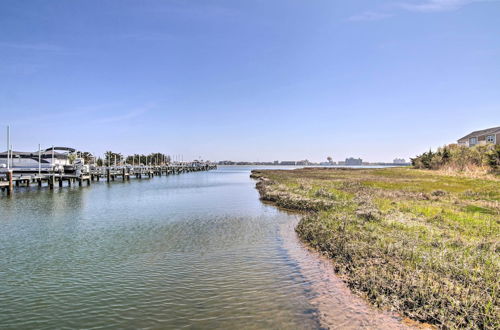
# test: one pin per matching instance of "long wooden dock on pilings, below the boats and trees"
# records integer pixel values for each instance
(10, 179)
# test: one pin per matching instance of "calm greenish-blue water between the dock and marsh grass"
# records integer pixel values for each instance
(196, 250)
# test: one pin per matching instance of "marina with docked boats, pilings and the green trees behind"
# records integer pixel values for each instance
(56, 166)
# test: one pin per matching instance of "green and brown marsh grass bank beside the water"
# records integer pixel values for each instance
(416, 242)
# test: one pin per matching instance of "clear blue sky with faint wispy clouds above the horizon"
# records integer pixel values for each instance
(249, 80)
